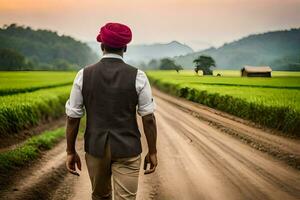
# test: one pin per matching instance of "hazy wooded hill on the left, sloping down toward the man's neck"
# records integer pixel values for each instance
(45, 49)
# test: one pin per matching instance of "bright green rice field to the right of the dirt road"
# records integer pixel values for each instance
(271, 102)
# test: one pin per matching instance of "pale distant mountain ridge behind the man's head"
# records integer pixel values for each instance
(144, 53)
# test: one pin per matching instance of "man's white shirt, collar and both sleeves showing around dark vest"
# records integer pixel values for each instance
(146, 104)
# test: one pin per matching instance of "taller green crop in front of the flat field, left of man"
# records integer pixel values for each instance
(24, 110)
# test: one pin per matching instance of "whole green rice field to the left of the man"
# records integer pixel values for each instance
(26, 98)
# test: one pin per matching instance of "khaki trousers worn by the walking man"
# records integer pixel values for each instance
(123, 172)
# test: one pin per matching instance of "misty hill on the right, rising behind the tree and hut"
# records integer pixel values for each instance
(279, 49)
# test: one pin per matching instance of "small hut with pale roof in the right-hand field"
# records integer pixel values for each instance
(257, 71)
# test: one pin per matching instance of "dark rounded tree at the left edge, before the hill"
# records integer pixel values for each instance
(11, 60)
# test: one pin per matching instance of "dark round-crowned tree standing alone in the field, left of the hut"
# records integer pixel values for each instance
(204, 63)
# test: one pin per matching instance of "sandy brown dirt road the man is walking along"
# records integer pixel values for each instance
(197, 160)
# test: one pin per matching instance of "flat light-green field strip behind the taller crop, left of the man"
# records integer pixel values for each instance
(20, 82)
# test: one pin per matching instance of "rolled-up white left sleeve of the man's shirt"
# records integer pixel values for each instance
(74, 105)
